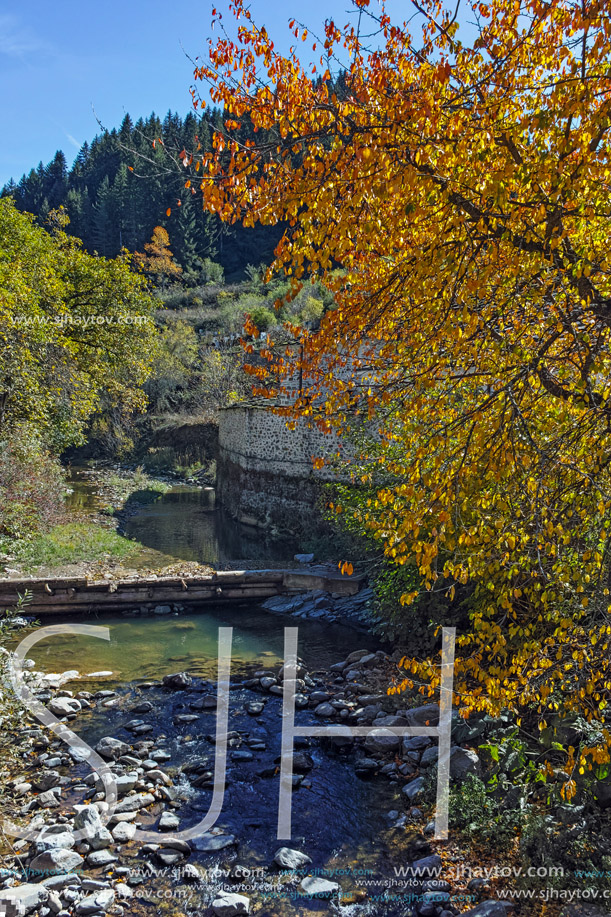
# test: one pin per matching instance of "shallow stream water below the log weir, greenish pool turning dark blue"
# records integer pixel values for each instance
(339, 820)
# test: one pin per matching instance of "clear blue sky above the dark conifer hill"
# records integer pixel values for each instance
(63, 64)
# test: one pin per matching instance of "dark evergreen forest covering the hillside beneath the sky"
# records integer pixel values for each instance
(121, 186)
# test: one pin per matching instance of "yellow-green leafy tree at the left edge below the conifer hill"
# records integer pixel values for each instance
(73, 327)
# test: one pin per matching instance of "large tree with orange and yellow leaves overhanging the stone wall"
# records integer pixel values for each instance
(463, 189)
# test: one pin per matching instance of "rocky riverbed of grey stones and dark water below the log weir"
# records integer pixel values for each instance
(158, 737)
